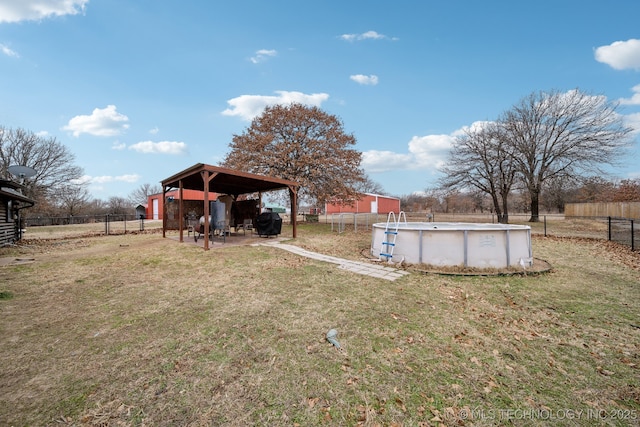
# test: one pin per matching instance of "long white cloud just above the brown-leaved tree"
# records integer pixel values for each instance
(249, 106)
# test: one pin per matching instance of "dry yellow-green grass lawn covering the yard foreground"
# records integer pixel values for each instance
(140, 330)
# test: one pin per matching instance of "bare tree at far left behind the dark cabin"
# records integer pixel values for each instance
(52, 161)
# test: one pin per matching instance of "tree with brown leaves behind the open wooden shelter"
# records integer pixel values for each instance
(302, 144)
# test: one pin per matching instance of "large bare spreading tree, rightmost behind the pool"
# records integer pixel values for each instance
(555, 135)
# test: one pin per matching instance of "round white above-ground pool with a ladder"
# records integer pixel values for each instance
(453, 244)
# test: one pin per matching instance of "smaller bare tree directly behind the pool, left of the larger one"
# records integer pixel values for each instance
(481, 159)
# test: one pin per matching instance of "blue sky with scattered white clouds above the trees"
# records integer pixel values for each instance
(140, 90)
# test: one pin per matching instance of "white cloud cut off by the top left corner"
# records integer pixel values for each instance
(35, 10)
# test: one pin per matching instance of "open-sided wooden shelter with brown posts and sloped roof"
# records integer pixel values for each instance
(216, 179)
